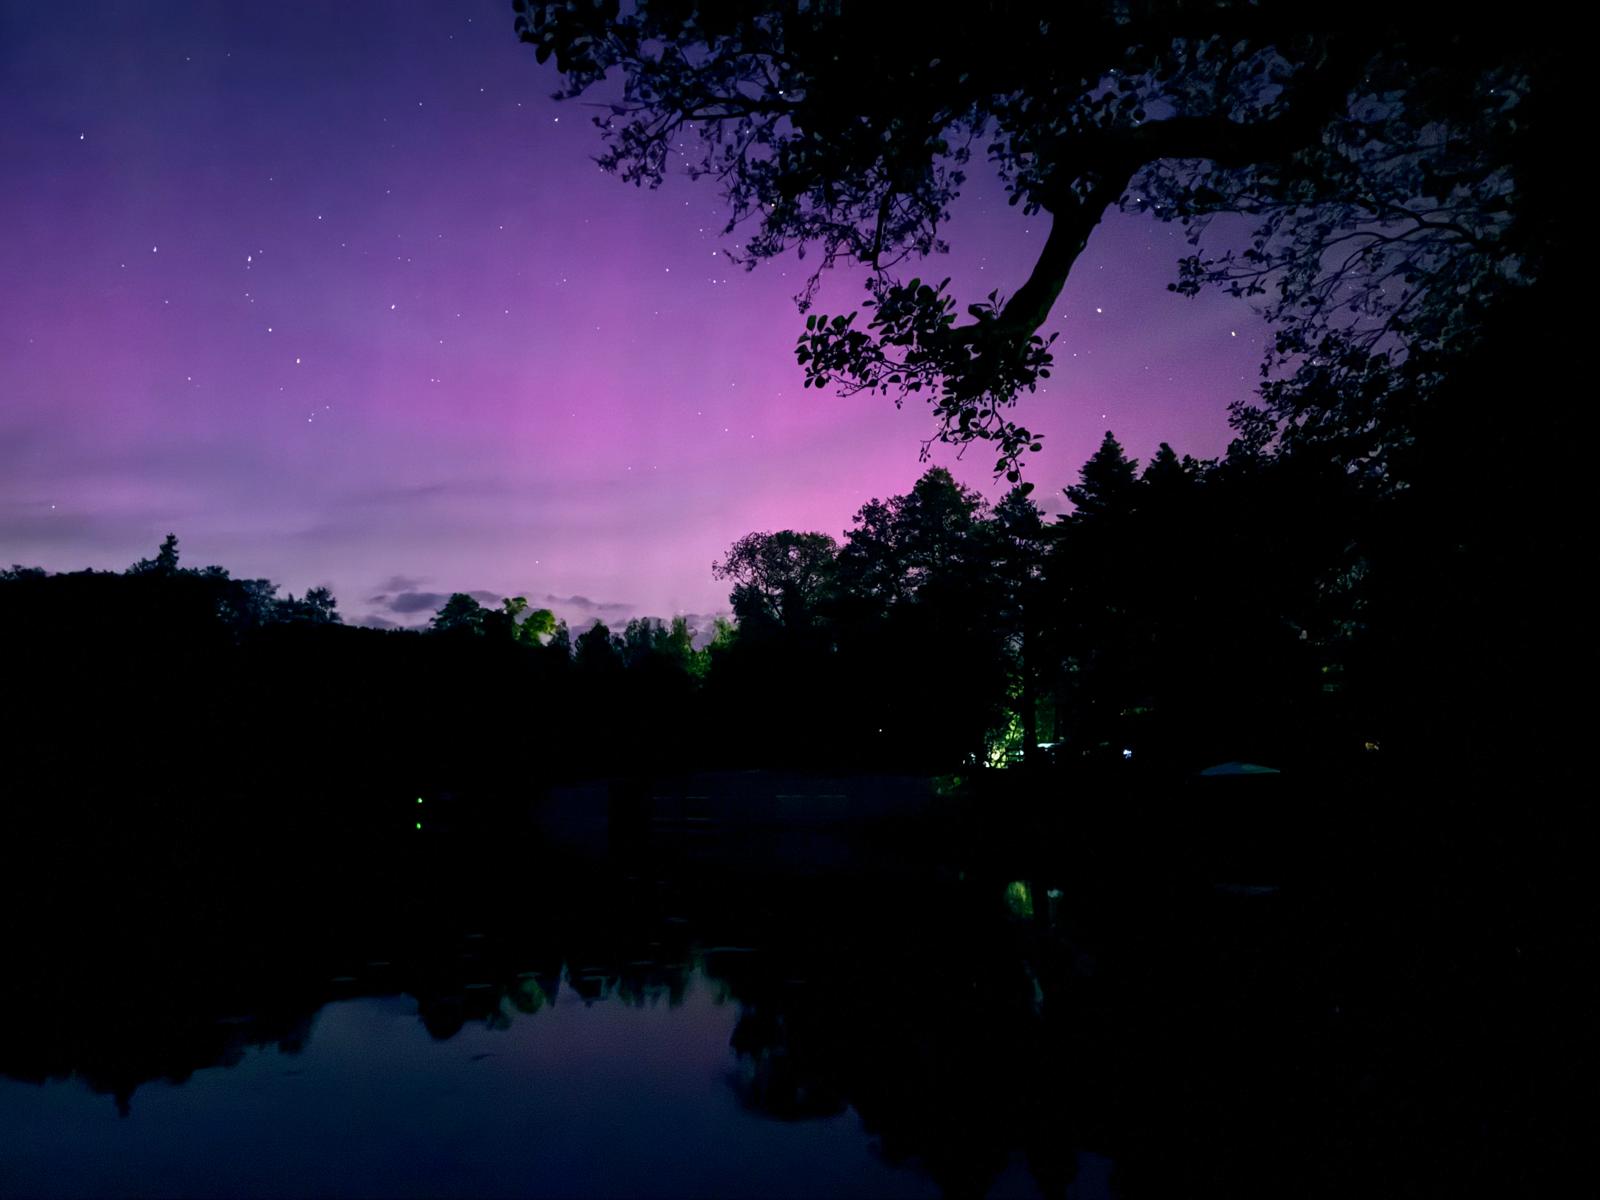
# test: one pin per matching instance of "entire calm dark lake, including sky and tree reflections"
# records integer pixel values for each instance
(794, 1012)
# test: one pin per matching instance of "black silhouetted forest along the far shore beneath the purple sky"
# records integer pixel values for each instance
(1266, 606)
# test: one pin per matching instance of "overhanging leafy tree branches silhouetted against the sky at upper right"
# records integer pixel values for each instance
(1394, 175)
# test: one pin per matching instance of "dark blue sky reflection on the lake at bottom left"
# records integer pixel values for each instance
(586, 1098)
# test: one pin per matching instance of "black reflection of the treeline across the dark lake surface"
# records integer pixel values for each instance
(1194, 1039)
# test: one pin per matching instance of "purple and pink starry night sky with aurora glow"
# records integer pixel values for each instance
(338, 295)
